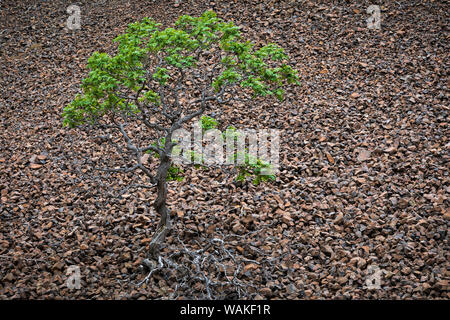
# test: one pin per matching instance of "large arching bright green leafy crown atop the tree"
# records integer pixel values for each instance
(145, 42)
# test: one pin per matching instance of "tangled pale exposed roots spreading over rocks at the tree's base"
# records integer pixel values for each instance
(215, 271)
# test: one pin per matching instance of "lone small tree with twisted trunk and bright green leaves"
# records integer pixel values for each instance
(160, 79)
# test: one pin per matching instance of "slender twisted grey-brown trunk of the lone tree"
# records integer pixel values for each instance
(161, 207)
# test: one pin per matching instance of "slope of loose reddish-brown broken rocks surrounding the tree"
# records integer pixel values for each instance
(364, 148)
